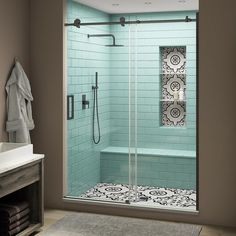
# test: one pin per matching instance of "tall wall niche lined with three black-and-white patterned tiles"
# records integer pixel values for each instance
(173, 67)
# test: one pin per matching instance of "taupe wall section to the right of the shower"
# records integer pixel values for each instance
(217, 124)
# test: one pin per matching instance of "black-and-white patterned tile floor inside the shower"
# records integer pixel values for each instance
(148, 196)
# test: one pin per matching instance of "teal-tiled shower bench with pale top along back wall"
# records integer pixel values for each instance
(155, 167)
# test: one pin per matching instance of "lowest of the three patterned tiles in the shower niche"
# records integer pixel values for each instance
(173, 113)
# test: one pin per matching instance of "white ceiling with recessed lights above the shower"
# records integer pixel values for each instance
(137, 6)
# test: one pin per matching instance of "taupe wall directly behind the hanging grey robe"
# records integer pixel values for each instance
(14, 41)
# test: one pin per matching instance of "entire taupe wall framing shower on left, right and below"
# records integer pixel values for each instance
(217, 133)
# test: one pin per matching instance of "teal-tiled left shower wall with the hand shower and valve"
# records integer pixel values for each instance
(85, 57)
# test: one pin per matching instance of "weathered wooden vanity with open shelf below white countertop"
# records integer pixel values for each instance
(26, 182)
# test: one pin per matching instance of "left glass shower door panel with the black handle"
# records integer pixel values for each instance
(98, 107)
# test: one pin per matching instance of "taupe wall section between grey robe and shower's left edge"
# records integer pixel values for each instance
(47, 79)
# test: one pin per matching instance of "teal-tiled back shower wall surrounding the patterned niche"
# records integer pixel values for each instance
(150, 37)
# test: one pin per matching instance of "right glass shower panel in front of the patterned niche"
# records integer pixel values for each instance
(166, 114)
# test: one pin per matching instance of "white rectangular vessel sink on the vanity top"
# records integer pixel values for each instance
(14, 154)
